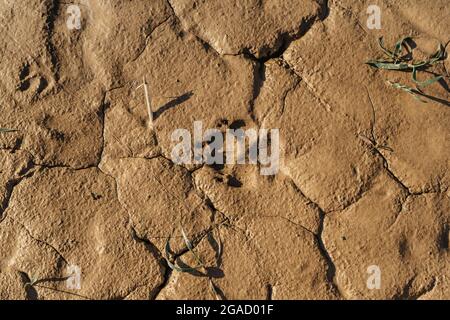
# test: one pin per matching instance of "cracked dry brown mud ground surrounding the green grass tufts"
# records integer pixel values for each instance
(85, 182)
